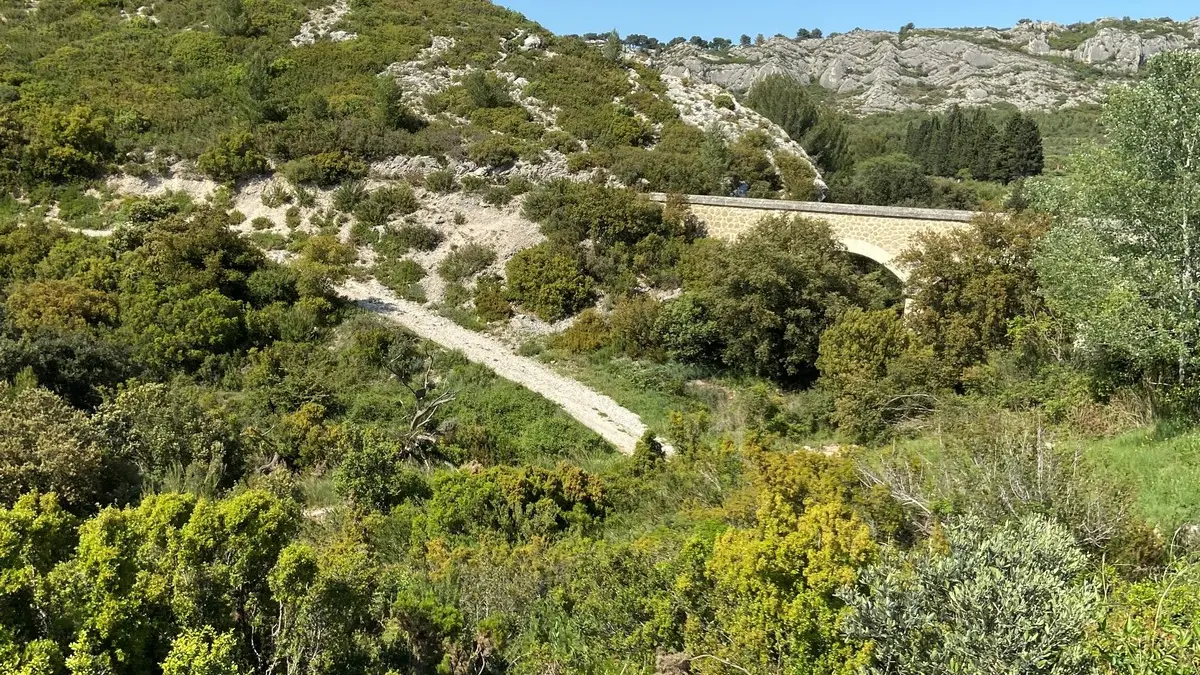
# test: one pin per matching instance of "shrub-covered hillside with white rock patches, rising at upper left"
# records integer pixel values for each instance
(326, 92)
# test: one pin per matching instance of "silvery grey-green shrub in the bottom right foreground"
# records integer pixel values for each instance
(988, 600)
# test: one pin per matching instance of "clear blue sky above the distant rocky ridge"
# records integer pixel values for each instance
(731, 19)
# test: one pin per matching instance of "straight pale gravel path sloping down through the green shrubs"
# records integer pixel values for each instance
(593, 410)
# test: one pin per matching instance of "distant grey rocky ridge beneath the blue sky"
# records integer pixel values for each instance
(1035, 65)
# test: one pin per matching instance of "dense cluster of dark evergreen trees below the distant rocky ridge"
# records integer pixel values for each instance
(968, 141)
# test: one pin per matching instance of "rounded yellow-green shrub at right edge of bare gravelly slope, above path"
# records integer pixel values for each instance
(549, 283)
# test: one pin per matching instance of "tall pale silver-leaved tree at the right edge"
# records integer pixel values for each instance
(1121, 265)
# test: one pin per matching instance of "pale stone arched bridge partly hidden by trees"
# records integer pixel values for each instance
(880, 234)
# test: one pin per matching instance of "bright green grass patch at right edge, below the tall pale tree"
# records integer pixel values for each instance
(1166, 471)
